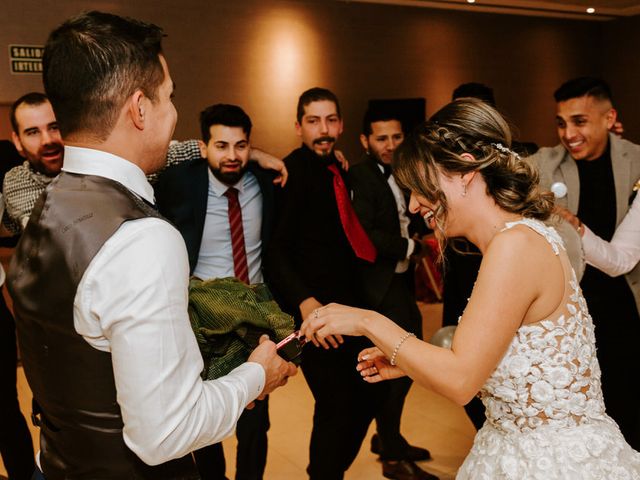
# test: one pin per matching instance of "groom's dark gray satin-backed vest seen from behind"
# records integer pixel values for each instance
(72, 382)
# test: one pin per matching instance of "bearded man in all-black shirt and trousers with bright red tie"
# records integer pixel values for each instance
(312, 261)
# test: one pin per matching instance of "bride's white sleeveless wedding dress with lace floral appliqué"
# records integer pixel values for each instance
(545, 413)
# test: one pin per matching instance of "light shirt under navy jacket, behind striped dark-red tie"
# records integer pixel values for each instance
(215, 259)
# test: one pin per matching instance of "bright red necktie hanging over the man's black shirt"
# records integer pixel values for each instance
(356, 235)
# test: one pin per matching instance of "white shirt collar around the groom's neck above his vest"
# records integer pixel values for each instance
(87, 161)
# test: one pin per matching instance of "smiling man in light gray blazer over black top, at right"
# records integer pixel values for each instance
(592, 172)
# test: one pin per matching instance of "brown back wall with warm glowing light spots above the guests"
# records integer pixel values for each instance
(262, 54)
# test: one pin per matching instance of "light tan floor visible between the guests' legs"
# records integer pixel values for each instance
(429, 421)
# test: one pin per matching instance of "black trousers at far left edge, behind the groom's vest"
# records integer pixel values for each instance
(15, 440)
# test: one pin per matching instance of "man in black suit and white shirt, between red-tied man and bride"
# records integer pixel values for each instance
(388, 284)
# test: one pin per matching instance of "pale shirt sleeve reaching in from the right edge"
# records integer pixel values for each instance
(623, 252)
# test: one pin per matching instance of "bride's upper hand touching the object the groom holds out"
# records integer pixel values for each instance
(333, 320)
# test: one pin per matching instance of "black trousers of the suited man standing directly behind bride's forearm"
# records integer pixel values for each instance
(399, 305)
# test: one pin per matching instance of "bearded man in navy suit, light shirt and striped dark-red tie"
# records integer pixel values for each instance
(194, 196)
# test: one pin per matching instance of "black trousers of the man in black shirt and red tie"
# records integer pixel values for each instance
(344, 407)
